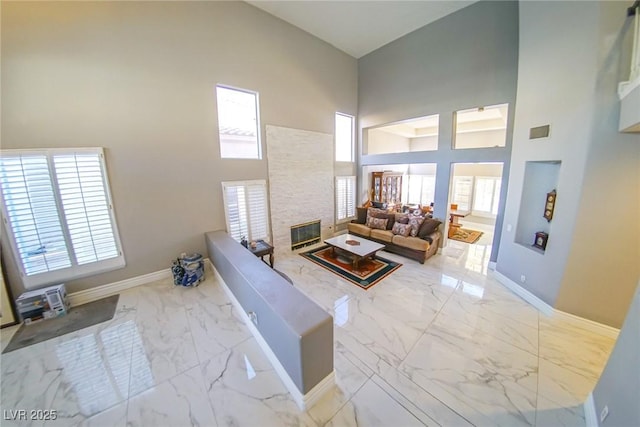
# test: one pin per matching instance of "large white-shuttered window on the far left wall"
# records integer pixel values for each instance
(58, 212)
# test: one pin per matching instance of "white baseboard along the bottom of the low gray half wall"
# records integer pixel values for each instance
(304, 401)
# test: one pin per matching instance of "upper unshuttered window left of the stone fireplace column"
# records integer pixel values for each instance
(238, 123)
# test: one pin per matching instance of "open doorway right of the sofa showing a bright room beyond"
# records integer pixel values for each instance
(474, 198)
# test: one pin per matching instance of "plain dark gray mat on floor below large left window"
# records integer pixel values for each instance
(77, 318)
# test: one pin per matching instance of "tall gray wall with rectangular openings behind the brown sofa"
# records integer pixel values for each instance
(467, 59)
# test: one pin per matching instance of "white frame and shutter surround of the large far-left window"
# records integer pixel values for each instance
(67, 235)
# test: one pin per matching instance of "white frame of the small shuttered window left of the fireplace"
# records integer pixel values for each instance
(247, 229)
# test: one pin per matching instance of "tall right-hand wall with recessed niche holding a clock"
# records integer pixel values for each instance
(590, 265)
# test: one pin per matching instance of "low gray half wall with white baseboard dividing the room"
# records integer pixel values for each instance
(298, 333)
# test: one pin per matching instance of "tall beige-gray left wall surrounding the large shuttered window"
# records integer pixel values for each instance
(138, 78)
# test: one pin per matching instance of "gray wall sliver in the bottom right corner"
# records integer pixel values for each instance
(619, 384)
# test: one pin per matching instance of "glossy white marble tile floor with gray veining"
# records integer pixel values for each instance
(436, 344)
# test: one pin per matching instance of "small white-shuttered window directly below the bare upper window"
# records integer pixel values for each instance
(246, 210)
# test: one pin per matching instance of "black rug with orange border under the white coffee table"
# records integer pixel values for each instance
(369, 271)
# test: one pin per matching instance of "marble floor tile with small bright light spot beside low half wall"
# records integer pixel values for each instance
(244, 389)
